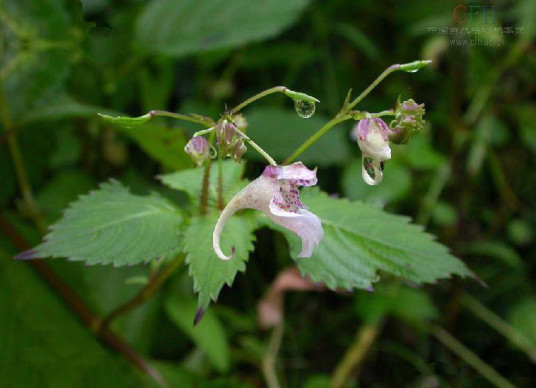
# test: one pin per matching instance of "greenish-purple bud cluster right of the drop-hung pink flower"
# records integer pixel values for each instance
(408, 121)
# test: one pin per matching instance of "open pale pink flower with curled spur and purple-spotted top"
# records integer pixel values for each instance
(275, 193)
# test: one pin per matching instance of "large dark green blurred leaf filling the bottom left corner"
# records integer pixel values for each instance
(43, 345)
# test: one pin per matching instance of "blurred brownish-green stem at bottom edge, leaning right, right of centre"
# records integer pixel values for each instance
(354, 356)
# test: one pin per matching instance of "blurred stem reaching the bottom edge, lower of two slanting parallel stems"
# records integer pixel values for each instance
(469, 357)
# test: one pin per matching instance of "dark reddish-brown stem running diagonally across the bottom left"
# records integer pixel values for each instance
(73, 301)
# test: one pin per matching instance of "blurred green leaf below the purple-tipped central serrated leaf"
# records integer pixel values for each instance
(209, 334)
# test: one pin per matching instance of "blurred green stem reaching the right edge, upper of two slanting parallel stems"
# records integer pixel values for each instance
(513, 335)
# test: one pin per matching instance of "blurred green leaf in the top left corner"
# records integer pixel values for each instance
(36, 62)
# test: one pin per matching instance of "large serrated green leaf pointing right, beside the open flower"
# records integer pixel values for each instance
(361, 240)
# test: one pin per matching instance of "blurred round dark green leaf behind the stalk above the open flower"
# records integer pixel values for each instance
(281, 131)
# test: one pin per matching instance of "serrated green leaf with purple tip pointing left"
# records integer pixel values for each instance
(113, 226)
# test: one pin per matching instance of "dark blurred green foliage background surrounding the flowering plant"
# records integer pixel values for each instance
(469, 178)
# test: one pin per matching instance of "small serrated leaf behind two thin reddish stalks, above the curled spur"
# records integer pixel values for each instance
(190, 180)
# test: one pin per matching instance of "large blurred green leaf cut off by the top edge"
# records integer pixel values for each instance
(178, 28)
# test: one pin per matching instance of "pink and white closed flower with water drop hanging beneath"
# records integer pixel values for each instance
(373, 139)
